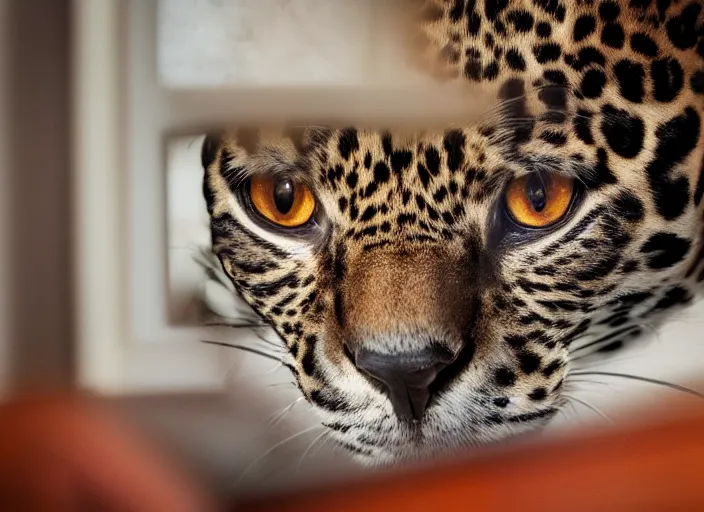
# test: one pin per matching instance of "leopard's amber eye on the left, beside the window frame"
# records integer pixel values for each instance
(283, 201)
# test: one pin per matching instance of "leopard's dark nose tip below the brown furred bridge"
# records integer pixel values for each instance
(407, 376)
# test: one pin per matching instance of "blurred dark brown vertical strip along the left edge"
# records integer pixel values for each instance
(35, 345)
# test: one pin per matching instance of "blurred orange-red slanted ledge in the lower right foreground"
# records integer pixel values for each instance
(655, 467)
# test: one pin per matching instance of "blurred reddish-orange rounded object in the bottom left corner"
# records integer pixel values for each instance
(66, 453)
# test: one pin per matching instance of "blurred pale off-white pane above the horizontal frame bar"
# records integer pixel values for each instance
(280, 42)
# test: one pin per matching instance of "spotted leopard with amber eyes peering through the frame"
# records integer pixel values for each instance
(429, 287)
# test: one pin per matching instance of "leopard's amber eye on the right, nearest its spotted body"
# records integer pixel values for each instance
(539, 200)
